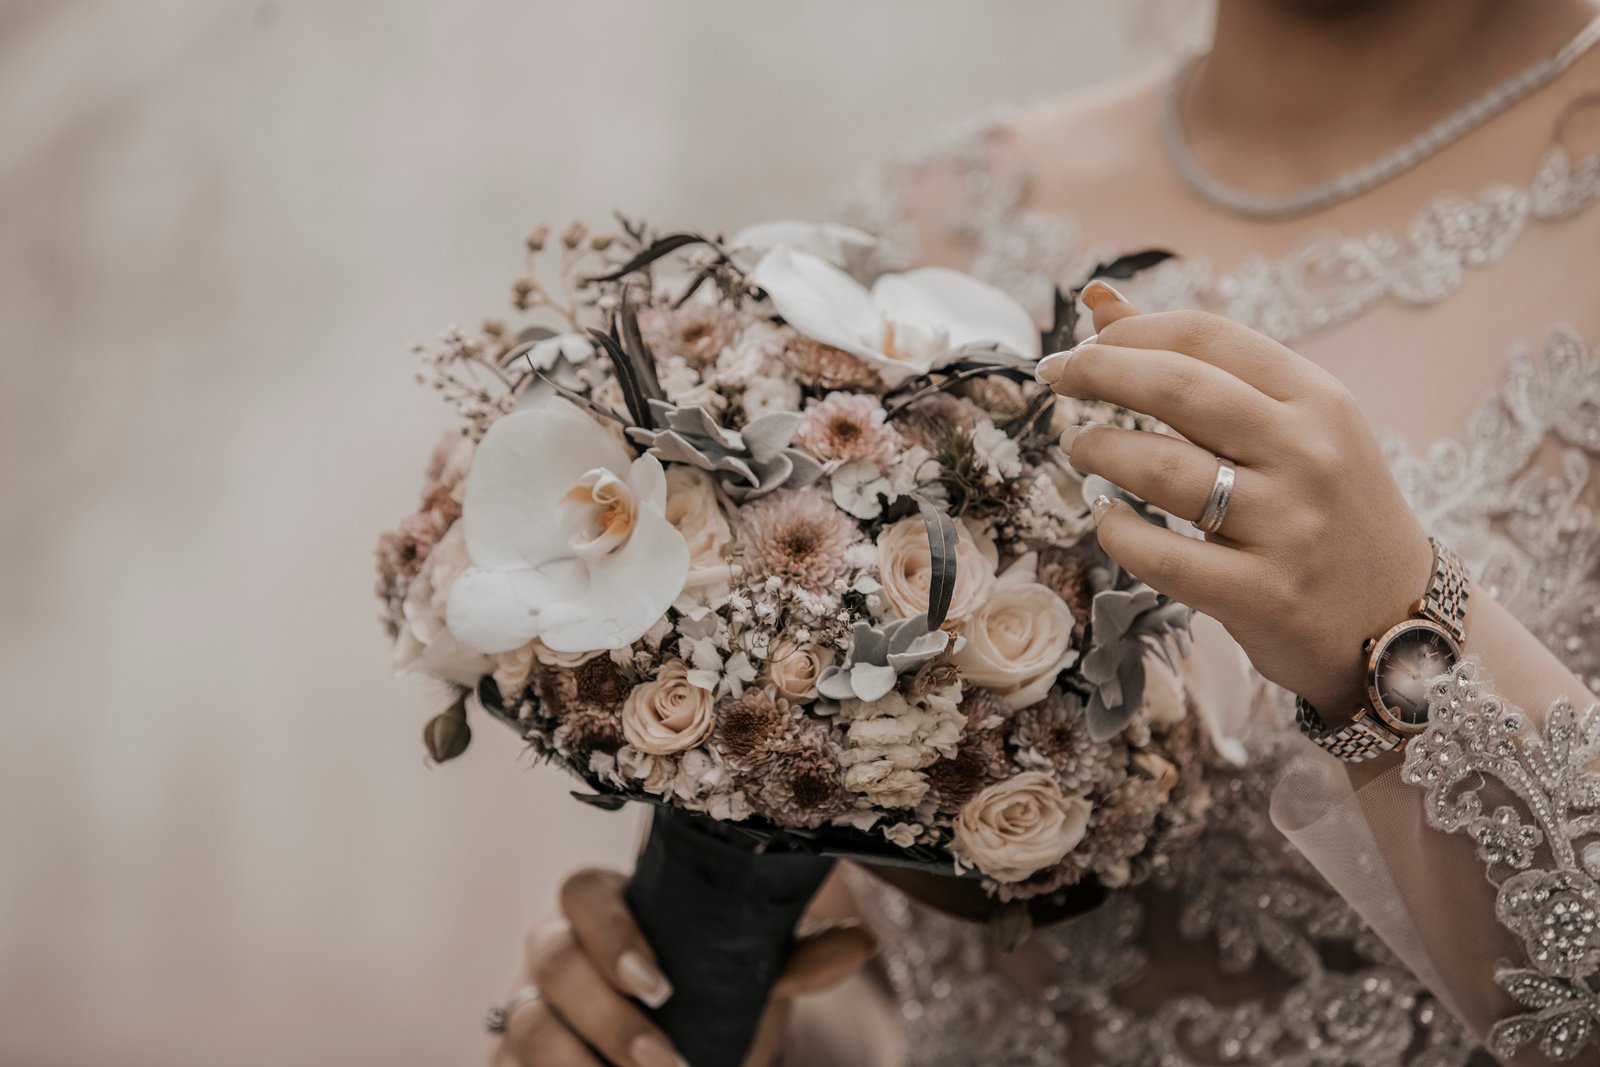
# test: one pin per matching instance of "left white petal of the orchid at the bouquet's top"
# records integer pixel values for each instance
(822, 302)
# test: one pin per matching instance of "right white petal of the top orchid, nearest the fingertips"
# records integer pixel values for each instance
(970, 311)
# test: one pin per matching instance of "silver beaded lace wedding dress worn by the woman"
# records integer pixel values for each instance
(1319, 924)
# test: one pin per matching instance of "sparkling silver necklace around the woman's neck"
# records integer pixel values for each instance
(1372, 175)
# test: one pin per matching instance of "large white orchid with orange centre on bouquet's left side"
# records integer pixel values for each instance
(569, 538)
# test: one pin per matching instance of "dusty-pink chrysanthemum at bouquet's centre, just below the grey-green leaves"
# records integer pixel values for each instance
(798, 537)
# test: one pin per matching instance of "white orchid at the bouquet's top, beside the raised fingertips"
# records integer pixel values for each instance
(906, 324)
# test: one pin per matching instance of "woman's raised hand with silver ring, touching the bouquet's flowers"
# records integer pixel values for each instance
(1319, 549)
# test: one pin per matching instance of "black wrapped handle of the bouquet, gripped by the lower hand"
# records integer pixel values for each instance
(721, 911)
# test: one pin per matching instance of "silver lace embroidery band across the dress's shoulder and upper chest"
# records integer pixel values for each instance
(1324, 284)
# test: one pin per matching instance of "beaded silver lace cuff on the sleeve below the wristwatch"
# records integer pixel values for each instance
(1540, 842)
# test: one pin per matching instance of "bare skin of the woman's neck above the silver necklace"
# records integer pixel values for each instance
(1298, 90)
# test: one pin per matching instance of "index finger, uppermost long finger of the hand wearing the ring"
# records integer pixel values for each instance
(1241, 351)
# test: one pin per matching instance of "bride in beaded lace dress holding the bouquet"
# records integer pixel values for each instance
(1364, 346)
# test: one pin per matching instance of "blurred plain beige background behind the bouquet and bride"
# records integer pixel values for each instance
(220, 228)
